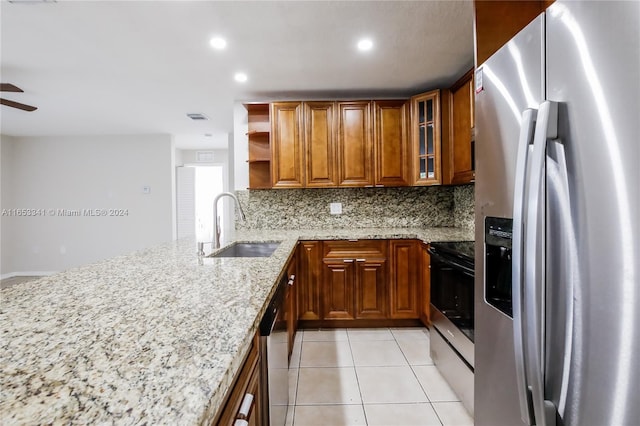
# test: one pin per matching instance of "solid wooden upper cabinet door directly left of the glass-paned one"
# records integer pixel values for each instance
(391, 142)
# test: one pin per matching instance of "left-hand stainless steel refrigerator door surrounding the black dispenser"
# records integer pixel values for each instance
(512, 82)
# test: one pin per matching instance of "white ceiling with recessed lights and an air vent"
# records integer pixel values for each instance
(132, 67)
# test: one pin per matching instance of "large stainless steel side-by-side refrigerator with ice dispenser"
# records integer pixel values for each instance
(557, 287)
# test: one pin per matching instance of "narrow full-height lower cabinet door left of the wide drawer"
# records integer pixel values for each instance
(308, 280)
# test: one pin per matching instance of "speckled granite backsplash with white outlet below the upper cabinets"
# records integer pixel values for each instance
(361, 208)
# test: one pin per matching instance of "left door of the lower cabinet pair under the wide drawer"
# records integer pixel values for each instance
(338, 289)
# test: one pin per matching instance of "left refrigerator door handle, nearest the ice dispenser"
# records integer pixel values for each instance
(525, 141)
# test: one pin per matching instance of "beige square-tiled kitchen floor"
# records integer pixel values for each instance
(370, 377)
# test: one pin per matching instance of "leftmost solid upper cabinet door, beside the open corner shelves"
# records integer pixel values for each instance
(286, 145)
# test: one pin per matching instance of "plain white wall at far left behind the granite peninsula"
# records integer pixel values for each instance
(83, 172)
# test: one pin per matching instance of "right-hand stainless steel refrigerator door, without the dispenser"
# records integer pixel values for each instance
(592, 372)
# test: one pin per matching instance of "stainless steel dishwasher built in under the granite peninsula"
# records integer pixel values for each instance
(274, 358)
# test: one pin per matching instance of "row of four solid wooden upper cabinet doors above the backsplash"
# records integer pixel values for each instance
(328, 144)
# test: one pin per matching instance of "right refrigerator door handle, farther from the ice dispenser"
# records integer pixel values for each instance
(534, 271)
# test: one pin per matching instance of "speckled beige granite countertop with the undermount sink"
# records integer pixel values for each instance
(152, 337)
